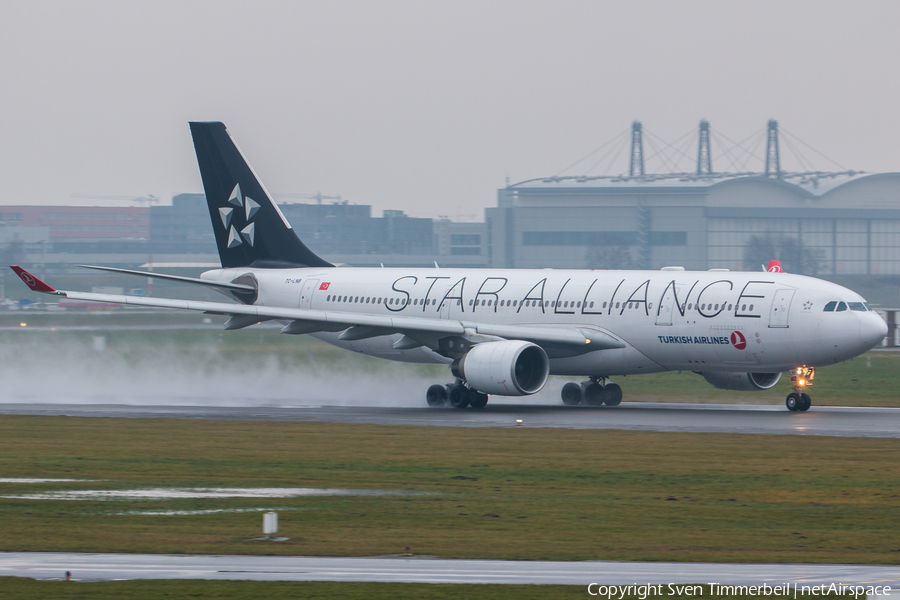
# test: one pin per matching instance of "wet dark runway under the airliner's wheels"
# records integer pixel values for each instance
(829, 421)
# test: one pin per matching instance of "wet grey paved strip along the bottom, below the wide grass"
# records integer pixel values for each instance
(41, 565)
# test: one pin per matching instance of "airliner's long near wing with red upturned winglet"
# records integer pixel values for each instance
(354, 326)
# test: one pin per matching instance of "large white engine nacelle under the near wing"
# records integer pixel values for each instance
(508, 368)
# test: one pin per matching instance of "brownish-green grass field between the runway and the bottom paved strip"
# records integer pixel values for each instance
(489, 493)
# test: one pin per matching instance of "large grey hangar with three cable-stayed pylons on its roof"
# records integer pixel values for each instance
(816, 223)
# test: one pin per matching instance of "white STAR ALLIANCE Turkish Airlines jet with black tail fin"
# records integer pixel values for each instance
(505, 331)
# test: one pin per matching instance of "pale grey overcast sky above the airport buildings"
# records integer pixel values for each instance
(424, 106)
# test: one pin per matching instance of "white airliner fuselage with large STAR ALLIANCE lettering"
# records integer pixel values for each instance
(668, 320)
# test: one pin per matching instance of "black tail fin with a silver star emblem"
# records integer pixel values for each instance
(249, 227)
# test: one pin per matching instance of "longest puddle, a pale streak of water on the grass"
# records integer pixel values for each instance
(195, 493)
